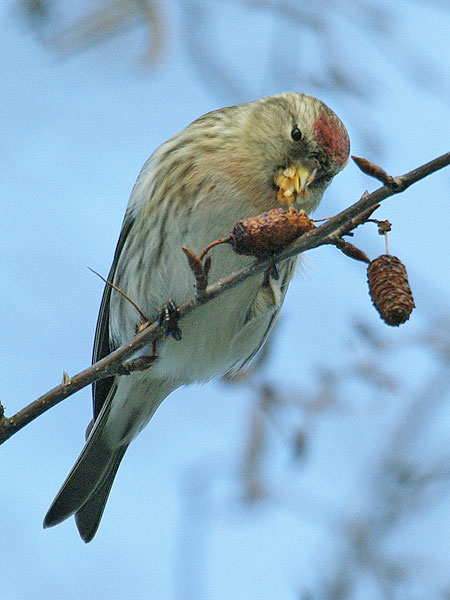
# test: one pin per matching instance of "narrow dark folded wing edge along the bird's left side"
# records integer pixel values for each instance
(102, 343)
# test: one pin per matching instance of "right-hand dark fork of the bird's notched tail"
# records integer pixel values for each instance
(88, 517)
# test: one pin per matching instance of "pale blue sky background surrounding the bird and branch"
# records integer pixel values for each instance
(75, 133)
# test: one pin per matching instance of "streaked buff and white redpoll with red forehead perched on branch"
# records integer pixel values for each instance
(229, 164)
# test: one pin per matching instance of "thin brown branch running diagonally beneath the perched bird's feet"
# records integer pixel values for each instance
(116, 362)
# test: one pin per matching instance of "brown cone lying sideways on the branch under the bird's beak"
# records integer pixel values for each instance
(269, 232)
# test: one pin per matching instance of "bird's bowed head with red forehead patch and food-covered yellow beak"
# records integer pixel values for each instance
(297, 144)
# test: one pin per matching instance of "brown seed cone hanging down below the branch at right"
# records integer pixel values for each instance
(389, 289)
